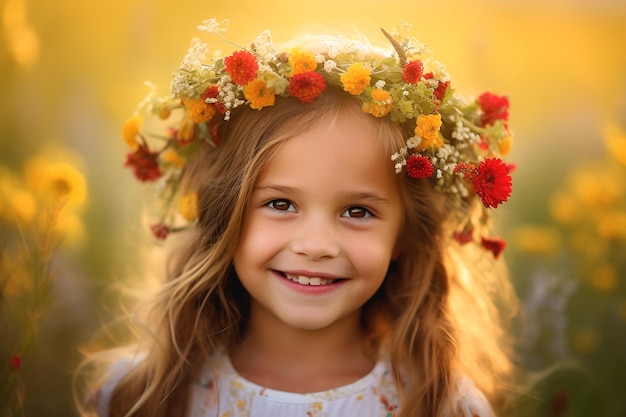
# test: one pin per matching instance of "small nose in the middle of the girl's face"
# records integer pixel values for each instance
(316, 238)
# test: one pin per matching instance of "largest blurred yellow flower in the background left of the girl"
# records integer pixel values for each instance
(56, 180)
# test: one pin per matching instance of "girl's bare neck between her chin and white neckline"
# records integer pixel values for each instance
(281, 357)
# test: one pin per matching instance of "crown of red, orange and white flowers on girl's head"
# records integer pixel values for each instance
(456, 144)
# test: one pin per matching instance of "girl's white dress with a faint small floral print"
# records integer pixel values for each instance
(221, 392)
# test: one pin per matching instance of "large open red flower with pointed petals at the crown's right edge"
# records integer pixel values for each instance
(492, 181)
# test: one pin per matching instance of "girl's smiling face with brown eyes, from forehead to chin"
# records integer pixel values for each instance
(321, 226)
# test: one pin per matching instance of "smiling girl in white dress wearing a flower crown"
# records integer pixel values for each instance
(336, 257)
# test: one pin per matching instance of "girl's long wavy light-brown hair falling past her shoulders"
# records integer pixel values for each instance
(436, 315)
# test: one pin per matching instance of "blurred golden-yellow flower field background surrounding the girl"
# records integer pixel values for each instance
(72, 71)
